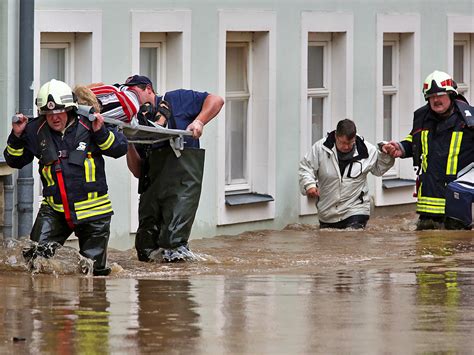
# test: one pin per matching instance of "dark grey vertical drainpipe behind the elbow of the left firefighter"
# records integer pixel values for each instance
(25, 100)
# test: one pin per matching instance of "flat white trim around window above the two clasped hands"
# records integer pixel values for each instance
(400, 24)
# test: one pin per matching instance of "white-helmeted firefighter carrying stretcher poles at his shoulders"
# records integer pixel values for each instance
(70, 151)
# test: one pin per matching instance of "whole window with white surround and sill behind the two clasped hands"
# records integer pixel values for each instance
(398, 96)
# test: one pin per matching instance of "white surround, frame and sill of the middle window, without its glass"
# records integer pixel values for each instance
(260, 204)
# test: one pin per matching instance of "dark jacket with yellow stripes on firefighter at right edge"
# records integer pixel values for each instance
(440, 148)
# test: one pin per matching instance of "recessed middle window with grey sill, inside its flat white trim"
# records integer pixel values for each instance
(241, 135)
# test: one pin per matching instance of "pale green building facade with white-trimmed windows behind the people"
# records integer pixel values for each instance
(288, 70)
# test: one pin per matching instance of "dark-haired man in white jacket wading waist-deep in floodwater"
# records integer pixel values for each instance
(335, 173)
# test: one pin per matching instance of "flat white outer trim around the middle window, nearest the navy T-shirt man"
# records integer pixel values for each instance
(247, 21)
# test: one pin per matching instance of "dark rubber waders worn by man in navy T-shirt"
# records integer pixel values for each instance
(168, 206)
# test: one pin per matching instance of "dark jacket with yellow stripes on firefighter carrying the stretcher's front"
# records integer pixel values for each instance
(78, 154)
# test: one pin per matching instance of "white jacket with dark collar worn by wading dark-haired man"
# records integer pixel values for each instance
(341, 195)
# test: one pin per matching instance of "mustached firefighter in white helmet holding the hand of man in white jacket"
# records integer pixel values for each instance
(441, 143)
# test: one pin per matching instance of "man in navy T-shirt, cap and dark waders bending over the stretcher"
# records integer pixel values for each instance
(169, 186)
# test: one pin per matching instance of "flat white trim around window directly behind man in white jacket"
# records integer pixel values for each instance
(323, 22)
